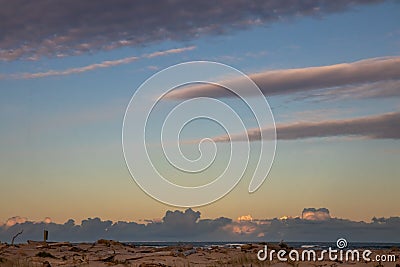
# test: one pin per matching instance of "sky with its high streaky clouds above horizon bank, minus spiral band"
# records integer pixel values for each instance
(330, 71)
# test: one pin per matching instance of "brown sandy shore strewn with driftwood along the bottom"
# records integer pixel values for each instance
(111, 253)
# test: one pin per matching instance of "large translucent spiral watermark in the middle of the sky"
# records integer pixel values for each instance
(172, 100)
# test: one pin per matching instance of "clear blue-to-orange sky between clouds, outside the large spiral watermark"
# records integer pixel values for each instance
(61, 134)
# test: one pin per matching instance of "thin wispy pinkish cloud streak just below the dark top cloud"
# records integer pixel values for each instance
(104, 64)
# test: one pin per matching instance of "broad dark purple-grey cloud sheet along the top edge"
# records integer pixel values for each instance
(32, 30)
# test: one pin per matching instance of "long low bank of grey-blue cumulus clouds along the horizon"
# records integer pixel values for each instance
(314, 225)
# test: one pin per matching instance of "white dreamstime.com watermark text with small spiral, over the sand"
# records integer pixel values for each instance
(330, 254)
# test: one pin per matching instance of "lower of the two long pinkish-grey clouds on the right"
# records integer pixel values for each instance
(384, 126)
